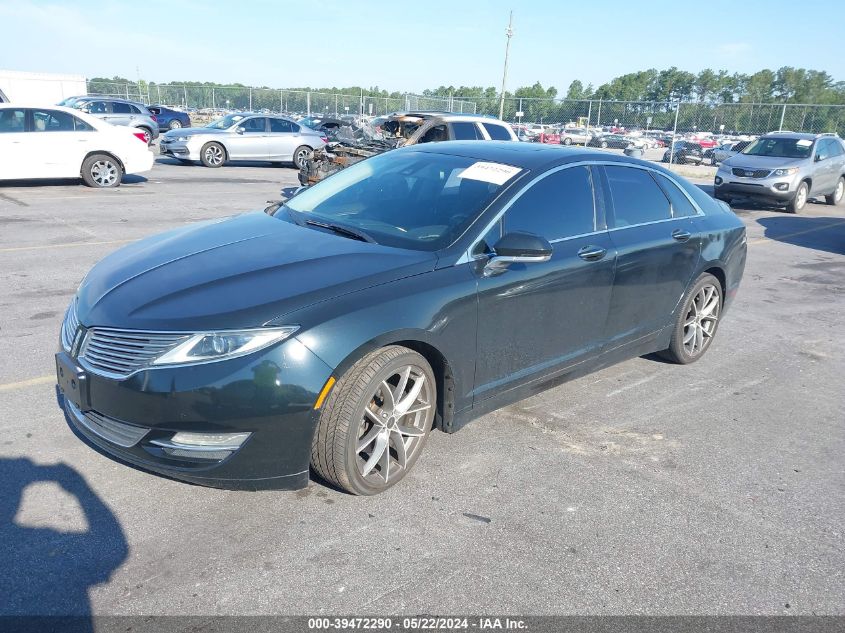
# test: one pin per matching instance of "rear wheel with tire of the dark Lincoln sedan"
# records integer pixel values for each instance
(697, 321)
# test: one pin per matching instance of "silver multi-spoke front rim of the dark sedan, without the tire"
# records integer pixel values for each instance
(393, 426)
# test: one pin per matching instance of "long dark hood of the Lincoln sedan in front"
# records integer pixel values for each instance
(237, 273)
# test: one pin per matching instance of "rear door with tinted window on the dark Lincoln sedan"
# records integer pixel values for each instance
(658, 247)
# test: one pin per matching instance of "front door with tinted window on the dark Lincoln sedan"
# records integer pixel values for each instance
(535, 318)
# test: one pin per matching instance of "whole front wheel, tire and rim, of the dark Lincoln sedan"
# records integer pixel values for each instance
(357, 429)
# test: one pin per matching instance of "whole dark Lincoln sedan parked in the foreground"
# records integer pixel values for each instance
(414, 290)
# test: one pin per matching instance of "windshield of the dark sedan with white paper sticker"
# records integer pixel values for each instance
(415, 200)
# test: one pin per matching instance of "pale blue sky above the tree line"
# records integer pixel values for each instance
(414, 45)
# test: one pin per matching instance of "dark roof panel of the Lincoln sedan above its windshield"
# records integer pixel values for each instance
(530, 156)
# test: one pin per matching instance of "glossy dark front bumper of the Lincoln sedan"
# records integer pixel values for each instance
(270, 394)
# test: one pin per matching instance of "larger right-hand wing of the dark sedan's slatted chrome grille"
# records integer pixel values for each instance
(119, 353)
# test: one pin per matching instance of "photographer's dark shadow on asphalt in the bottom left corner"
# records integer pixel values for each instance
(47, 571)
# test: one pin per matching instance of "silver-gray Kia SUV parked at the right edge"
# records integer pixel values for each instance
(785, 168)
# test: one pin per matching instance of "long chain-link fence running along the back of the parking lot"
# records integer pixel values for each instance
(729, 118)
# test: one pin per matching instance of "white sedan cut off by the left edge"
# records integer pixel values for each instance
(57, 142)
